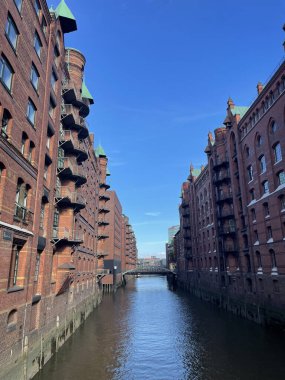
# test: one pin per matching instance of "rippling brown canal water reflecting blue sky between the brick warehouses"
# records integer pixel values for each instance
(148, 332)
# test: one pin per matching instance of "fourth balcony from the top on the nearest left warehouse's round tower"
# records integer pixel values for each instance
(66, 169)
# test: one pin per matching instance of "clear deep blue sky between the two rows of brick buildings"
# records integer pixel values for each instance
(161, 72)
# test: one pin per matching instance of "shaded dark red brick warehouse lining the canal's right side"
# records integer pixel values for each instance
(235, 254)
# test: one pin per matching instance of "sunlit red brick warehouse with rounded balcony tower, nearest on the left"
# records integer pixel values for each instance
(53, 190)
